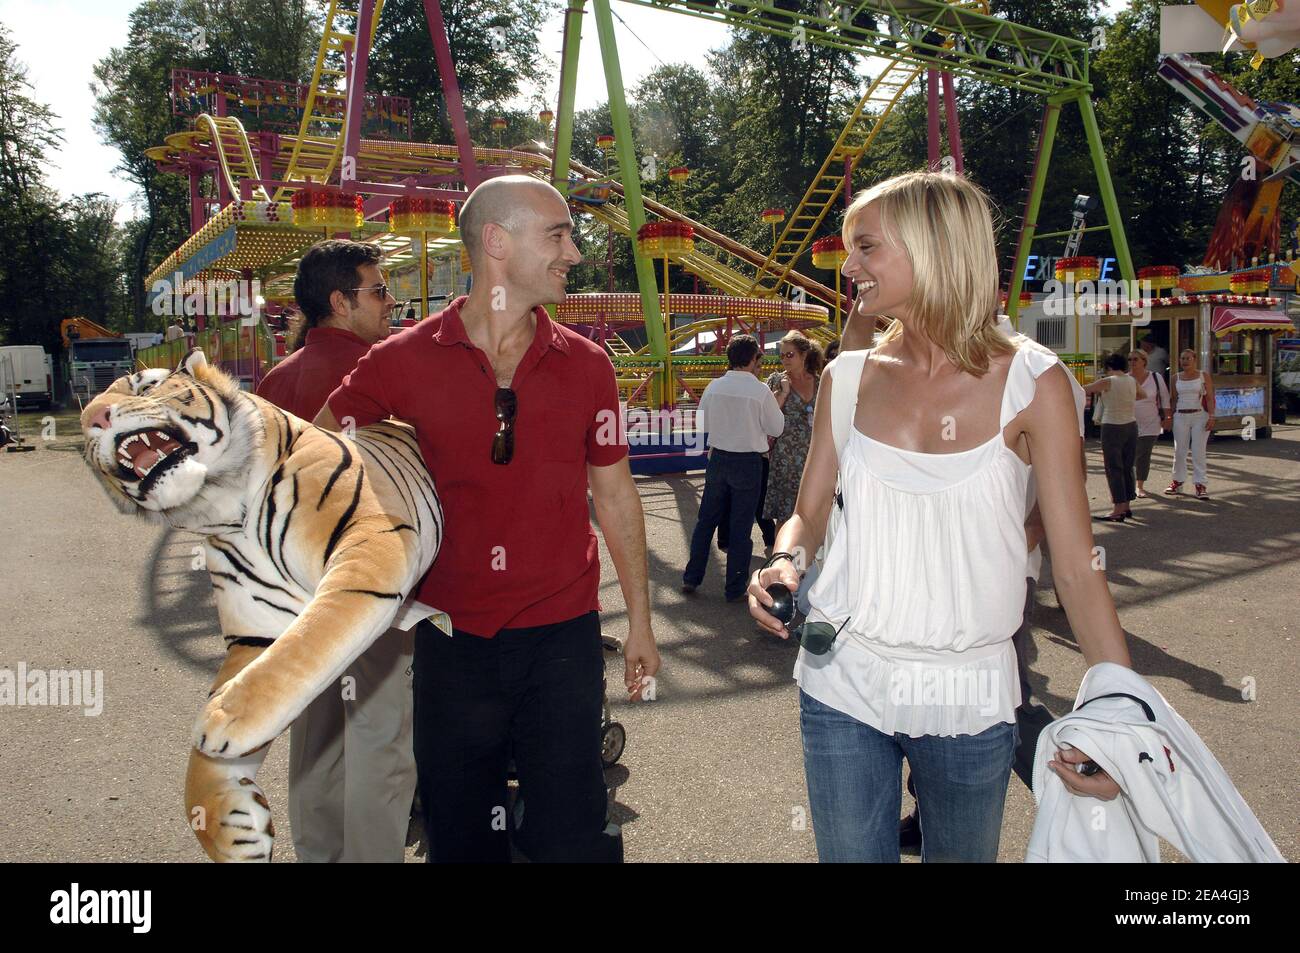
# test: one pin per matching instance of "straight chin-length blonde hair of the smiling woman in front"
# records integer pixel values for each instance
(944, 226)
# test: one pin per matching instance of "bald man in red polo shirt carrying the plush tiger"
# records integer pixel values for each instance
(517, 417)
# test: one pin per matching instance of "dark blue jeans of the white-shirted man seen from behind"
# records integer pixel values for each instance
(733, 486)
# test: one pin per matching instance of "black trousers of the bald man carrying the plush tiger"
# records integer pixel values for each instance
(534, 695)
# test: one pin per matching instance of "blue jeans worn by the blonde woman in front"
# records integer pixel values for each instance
(855, 774)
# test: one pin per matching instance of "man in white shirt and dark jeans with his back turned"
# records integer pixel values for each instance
(739, 413)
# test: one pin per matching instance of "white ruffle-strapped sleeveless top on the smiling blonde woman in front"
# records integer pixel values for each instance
(929, 569)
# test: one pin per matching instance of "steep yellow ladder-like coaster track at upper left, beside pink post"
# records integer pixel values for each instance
(320, 136)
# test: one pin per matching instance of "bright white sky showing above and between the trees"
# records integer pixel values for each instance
(60, 41)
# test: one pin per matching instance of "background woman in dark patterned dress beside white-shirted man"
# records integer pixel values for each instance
(796, 395)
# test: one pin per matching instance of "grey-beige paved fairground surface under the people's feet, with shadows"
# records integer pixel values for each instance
(713, 772)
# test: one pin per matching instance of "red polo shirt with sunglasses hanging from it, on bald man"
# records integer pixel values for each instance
(518, 547)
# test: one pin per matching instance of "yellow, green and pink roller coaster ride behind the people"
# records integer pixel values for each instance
(332, 161)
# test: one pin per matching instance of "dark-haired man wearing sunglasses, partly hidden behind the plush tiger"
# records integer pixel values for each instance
(352, 764)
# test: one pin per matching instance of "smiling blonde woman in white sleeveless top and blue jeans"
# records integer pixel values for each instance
(924, 582)
